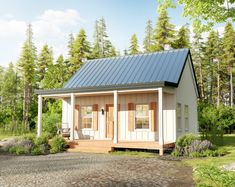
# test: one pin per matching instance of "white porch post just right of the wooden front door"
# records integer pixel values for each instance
(115, 103)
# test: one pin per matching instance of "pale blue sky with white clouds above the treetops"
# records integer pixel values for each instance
(53, 20)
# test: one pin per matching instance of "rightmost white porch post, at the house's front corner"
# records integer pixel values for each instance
(160, 120)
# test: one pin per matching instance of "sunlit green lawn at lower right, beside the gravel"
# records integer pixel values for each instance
(215, 162)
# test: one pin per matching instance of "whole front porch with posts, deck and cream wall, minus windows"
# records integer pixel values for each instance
(100, 138)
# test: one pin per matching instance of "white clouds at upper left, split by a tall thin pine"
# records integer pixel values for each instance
(52, 27)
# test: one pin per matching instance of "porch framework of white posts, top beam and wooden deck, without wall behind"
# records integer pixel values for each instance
(158, 143)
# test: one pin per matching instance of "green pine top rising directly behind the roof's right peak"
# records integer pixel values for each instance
(182, 38)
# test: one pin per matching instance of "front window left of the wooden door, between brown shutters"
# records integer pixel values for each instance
(86, 117)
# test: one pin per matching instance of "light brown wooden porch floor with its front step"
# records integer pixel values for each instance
(105, 146)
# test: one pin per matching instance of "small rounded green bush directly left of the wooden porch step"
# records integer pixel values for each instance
(58, 144)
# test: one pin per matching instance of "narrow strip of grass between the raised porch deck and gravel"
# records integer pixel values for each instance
(140, 154)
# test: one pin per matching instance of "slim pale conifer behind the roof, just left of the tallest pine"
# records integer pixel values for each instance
(148, 40)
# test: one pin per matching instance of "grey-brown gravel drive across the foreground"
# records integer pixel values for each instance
(86, 169)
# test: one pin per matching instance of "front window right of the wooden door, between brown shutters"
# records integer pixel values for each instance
(142, 116)
